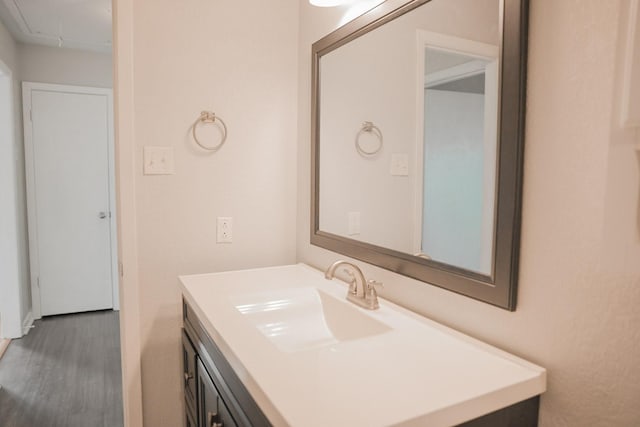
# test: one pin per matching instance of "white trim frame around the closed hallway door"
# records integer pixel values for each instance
(27, 88)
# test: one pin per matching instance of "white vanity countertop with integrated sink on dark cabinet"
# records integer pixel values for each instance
(310, 358)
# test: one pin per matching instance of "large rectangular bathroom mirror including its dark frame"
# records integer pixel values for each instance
(417, 142)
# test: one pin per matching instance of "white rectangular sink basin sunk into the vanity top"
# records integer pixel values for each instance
(296, 319)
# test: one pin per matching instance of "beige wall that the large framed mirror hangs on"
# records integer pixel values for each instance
(579, 285)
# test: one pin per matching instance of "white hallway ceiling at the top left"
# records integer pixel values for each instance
(75, 24)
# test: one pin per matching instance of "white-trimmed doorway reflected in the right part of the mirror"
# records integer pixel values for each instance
(460, 115)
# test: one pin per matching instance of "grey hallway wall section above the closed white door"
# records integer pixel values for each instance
(44, 64)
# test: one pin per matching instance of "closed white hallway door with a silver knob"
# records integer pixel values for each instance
(68, 134)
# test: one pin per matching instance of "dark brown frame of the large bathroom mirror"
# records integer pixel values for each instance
(499, 288)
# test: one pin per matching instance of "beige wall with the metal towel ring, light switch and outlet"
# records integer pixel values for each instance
(175, 59)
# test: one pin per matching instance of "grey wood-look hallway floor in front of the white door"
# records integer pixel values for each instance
(64, 373)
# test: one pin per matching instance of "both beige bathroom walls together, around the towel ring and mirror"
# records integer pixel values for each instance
(579, 281)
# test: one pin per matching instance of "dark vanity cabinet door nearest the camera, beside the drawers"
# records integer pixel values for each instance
(212, 411)
